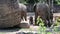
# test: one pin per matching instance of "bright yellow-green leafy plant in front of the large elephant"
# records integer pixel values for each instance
(42, 28)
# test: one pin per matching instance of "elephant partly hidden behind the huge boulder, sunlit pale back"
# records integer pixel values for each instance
(23, 11)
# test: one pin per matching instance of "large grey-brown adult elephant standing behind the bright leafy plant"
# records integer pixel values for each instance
(42, 9)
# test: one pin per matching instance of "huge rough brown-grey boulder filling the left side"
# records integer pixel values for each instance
(9, 13)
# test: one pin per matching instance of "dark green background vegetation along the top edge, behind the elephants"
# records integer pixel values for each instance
(35, 1)
